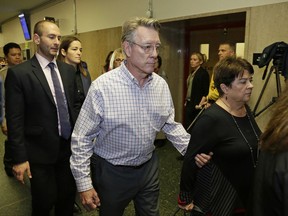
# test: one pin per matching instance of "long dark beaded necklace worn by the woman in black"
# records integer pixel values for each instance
(254, 160)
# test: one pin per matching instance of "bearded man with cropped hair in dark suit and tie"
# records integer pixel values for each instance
(39, 145)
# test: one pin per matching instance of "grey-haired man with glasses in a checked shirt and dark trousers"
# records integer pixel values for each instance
(117, 126)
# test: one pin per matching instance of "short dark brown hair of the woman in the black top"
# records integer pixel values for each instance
(228, 69)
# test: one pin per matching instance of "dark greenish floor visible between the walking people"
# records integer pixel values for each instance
(15, 198)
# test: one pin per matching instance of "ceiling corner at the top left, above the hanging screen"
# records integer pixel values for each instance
(10, 9)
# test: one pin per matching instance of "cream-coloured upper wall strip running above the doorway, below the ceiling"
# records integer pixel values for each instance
(80, 16)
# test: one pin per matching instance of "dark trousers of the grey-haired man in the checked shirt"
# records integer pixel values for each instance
(118, 185)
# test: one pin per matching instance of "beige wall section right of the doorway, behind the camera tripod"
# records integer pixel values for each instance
(265, 25)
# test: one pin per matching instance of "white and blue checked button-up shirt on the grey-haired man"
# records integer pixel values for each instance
(119, 121)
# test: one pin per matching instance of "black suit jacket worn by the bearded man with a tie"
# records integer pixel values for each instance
(32, 114)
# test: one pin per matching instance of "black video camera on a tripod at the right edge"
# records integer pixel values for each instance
(279, 53)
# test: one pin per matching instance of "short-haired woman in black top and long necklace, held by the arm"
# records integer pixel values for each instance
(228, 129)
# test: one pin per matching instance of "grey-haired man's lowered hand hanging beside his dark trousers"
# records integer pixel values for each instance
(89, 199)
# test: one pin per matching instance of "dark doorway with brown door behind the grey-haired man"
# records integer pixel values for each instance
(182, 37)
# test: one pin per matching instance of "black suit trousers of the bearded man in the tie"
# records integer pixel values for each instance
(53, 186)
